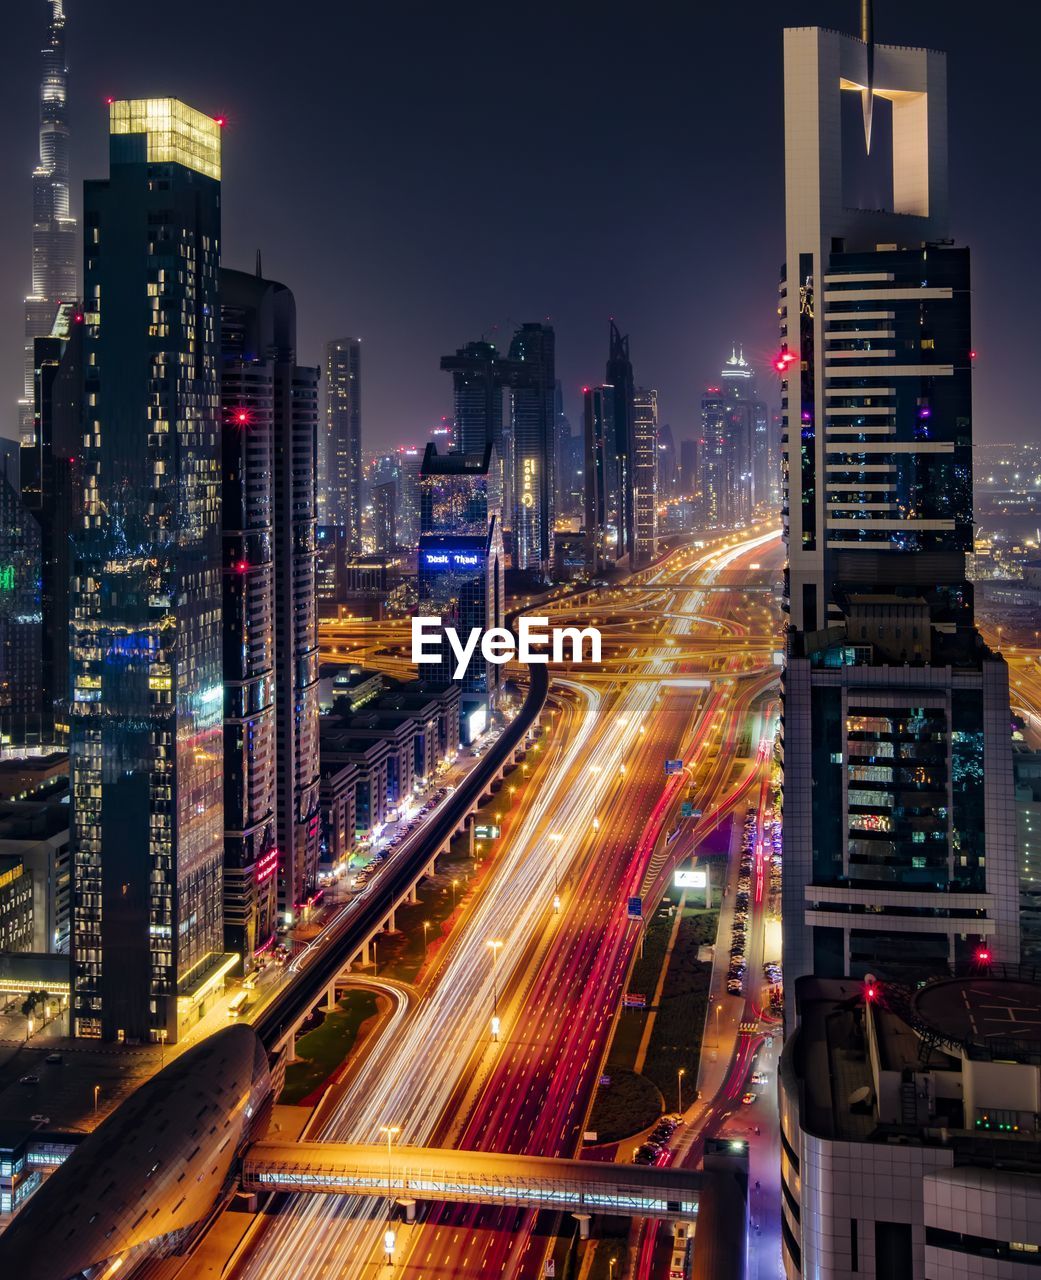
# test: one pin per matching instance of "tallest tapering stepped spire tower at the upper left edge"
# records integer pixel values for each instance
(54, 277)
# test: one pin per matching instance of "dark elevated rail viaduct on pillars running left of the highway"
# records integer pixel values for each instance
(350, 935)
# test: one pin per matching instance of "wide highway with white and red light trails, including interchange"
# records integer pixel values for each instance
(586, 833)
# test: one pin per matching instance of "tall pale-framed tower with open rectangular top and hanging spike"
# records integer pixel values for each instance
(900, 817)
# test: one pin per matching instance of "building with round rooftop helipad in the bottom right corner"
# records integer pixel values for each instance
(910, 1132)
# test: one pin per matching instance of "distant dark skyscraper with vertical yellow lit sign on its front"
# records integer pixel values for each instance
(533, 419)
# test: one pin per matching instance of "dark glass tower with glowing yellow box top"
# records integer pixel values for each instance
(147, 737)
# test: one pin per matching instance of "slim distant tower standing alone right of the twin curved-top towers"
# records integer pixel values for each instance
(344, 438)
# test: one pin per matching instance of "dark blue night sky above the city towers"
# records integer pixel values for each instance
(427, 173)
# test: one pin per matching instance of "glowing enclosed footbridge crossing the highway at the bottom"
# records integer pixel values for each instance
(409, 1174)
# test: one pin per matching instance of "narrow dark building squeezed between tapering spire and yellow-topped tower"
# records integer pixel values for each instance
(51, 492)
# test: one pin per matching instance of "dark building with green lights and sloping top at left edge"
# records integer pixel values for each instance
(21, 615)
